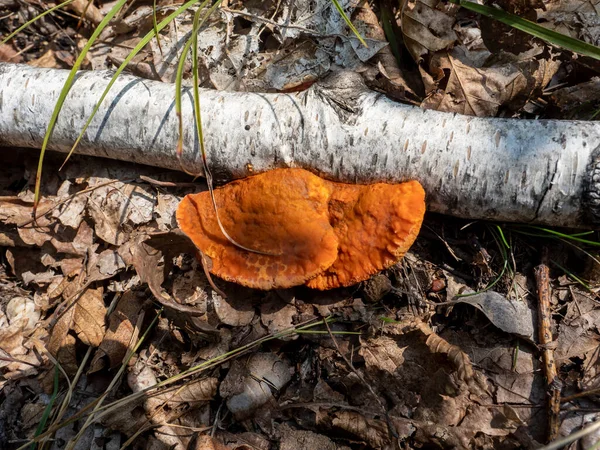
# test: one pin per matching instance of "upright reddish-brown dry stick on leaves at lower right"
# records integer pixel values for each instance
(542, 278)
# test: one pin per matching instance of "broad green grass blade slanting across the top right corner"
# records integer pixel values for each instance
(532, 28)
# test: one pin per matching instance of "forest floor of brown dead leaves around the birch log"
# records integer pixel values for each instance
(91, 357)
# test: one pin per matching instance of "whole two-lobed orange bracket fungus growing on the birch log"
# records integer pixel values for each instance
(304, 229)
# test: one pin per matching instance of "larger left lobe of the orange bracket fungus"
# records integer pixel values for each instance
(281, 212)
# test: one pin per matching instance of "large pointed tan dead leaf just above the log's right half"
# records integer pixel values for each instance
(469, 90)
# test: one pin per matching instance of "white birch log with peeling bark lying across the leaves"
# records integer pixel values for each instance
(534, 171)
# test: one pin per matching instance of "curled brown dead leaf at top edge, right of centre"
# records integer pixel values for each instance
(426, 28)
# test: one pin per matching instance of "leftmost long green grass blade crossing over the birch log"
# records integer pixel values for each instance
(64, 92)
